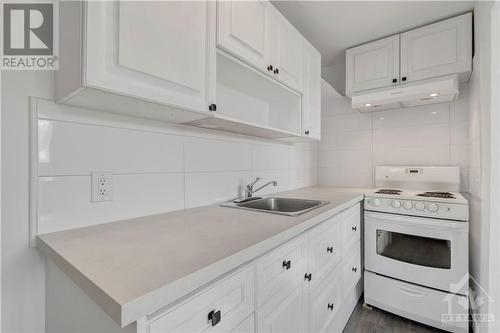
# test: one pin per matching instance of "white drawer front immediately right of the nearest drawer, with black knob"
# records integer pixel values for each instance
(281, 270)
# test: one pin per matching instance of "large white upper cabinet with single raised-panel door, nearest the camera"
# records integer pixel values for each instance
(153, 59)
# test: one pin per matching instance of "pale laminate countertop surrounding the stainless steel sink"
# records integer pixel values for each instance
(134, 267)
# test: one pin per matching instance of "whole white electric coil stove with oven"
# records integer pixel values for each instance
(416, 245)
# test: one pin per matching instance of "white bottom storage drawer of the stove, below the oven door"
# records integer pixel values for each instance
(415, 302)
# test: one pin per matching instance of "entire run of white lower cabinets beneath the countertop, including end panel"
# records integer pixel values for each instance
(308, 284)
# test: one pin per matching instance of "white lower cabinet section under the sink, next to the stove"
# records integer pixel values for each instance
(310, 299)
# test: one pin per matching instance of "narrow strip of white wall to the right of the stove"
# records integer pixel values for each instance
(483, 238)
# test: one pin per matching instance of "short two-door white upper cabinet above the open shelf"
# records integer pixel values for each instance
(259, 35)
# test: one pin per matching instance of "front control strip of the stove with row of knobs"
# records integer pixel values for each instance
(441, 210)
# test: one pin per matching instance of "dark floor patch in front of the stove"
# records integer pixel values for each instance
(365, 320)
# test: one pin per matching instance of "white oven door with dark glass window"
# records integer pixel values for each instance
(424, 251)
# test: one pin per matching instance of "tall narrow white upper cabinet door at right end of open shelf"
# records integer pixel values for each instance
(311, 97)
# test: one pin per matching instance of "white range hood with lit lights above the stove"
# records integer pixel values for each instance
(432, 91)
